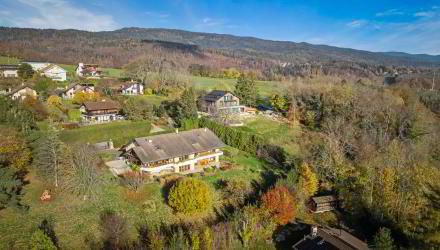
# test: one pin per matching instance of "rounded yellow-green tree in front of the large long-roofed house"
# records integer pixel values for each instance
(190, 196)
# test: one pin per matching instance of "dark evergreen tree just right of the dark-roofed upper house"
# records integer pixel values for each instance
(246, 90)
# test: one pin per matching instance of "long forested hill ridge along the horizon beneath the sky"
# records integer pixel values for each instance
(119, 47)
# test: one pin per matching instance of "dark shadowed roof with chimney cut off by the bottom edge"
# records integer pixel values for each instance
(324, 238)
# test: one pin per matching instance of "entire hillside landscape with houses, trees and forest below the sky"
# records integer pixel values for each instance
(130, 142)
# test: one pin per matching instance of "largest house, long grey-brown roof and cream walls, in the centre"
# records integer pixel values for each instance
(179, 152)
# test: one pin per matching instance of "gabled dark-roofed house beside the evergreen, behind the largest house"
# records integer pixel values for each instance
(219, 102)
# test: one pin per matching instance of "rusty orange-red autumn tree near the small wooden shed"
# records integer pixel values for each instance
(280, 203)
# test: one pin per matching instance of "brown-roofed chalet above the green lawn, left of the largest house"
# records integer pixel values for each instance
(103, 111)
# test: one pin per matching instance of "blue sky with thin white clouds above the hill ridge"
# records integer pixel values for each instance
(408, 26)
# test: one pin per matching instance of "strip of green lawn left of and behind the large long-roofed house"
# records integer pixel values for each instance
(120, 132)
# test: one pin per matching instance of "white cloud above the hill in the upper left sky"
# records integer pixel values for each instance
(59, 14)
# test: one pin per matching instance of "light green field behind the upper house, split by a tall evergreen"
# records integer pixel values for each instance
(265, 88)
